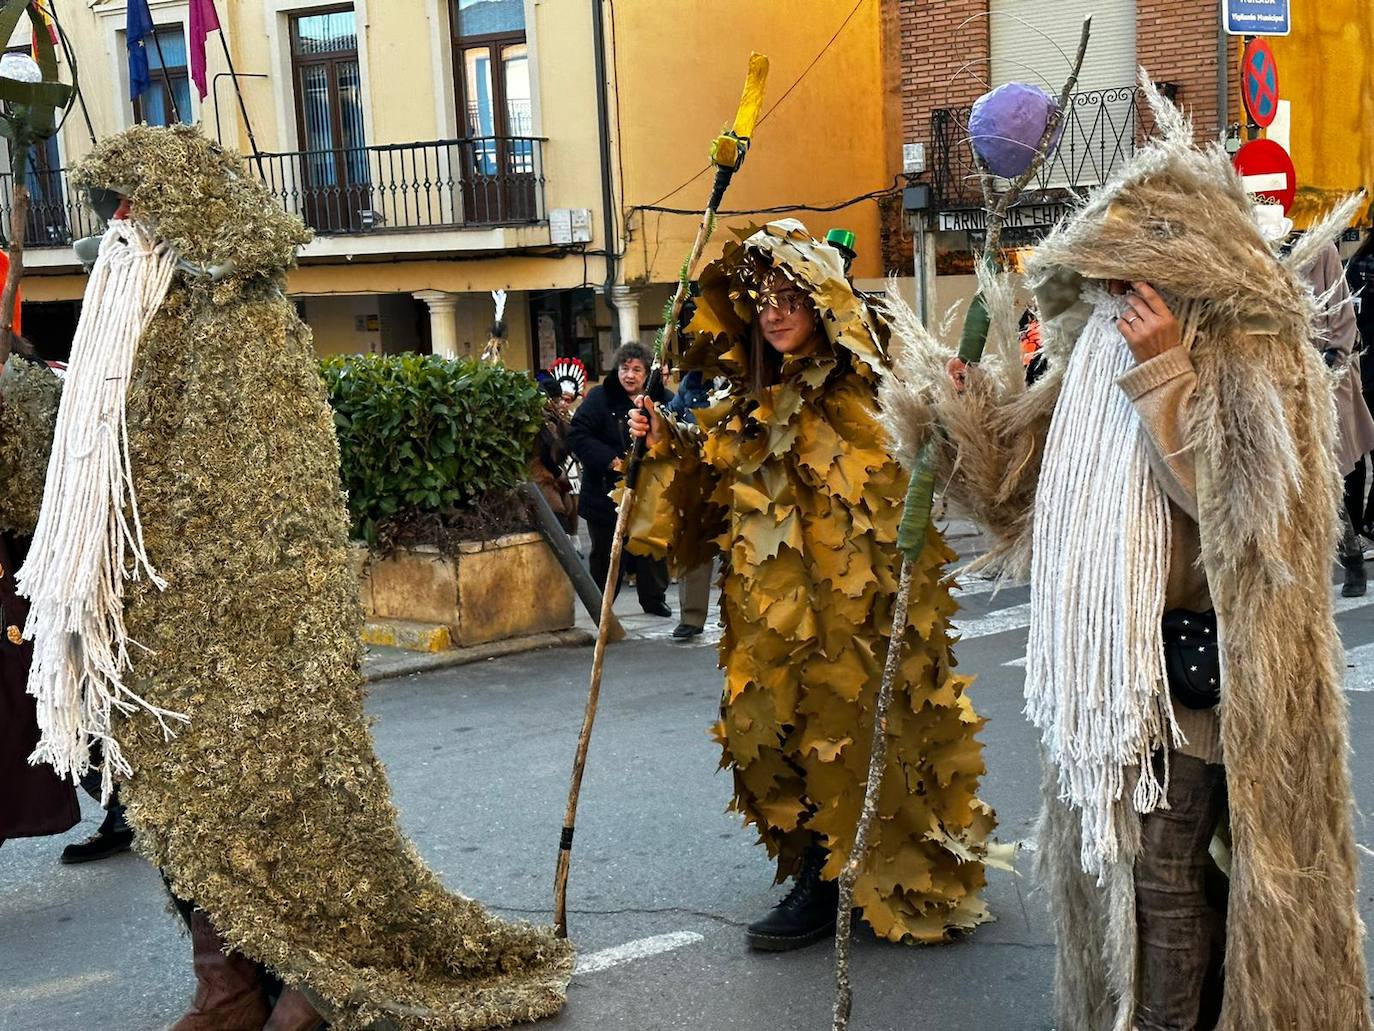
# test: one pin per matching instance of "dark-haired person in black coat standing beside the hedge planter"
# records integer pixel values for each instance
(600, 438)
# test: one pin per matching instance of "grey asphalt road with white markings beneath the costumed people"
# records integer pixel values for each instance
(663, 879)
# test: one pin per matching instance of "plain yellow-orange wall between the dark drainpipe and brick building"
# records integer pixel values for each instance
(681, 69)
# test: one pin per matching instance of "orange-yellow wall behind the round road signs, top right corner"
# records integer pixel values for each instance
(1327, 72)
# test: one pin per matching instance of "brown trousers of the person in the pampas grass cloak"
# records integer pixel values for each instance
(1180, 931)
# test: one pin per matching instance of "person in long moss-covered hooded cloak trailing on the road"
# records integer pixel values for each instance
(269, 809)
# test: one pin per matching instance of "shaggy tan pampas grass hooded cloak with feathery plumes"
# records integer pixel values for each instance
(1262, 435)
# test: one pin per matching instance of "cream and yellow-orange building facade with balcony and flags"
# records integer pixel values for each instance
(446, 149)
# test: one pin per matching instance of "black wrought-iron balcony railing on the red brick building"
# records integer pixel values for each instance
(1103, 130)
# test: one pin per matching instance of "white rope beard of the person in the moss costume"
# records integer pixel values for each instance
(82, 549)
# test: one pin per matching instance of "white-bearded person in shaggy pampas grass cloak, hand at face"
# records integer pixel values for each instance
(1170, 487)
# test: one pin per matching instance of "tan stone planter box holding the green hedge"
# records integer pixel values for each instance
(493, 590)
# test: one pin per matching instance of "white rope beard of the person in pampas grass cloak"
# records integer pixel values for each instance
(1096, 680)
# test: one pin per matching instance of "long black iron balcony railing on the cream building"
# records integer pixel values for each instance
(401, 188)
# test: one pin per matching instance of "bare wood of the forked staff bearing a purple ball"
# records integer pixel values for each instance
(912, 537)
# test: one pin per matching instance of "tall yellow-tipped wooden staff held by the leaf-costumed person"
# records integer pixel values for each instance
(728, 155)
